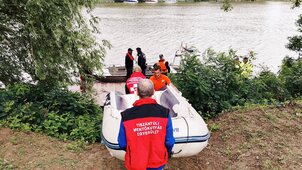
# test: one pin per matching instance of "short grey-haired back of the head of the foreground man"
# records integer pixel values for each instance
(145, 88)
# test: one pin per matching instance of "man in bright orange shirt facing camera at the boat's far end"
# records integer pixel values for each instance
(159, 80)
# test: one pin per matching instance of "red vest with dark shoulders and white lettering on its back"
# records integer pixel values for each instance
(145, 126)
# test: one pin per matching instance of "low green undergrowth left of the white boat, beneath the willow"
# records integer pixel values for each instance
(51, 110)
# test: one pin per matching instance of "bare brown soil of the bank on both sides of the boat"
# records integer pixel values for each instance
(255, 138)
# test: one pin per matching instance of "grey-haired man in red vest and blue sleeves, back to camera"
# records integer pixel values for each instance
(146, 132)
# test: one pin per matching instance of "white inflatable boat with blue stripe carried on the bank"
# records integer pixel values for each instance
(189, 129)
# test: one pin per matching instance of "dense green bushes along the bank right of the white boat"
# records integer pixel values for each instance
(215, 83)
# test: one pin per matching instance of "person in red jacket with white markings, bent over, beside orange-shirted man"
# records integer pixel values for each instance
(132, 82)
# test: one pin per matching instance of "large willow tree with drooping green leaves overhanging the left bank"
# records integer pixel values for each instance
(48, 39)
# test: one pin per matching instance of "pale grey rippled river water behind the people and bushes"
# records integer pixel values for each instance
(160, 29)
